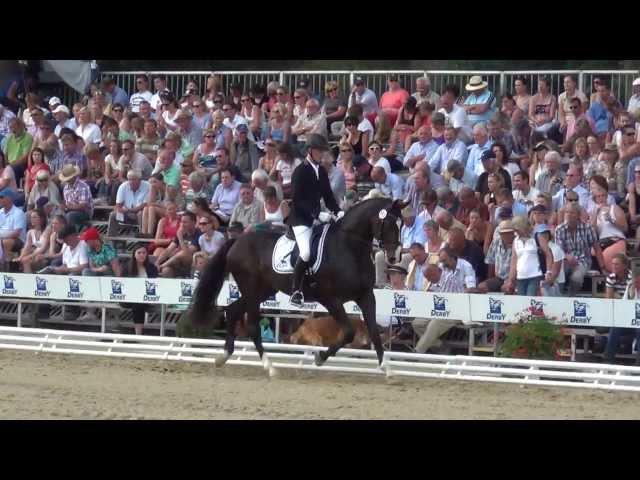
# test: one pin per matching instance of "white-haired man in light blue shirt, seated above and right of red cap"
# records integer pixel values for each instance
(130, 201)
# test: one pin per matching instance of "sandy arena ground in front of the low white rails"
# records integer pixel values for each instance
(50, 386)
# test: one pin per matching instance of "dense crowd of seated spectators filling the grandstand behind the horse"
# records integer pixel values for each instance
(523, 194)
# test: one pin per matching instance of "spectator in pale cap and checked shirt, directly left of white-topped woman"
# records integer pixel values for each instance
(498, 260)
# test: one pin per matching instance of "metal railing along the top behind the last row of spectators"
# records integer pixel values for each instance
(499, 81)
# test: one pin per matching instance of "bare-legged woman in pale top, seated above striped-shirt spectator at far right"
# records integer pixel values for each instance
(610, 222)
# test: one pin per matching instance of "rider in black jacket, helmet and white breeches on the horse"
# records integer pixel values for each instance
(310, 183)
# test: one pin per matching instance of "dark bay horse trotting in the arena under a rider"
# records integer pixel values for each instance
(346, 274)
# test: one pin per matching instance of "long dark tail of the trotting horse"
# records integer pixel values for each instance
(209, 285)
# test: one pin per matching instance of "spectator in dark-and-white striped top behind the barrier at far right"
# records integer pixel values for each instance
(620, 282)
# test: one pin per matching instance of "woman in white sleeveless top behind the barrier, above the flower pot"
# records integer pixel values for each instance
(525, 271)
